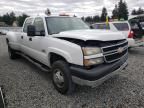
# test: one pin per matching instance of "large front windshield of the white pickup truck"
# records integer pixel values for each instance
(60, 24)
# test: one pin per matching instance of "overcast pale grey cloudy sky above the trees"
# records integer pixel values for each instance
(77, 7)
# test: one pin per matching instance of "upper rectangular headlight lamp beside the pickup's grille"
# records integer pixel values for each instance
(91, 50)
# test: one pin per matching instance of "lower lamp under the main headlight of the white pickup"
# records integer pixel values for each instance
(95, 61)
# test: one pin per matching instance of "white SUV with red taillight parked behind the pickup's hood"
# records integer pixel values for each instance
(122, 26)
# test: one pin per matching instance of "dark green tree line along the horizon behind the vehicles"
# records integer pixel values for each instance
(119, 12)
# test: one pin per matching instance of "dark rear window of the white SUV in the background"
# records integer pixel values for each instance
(121, 26)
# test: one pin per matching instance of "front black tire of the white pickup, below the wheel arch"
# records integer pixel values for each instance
(67, 87)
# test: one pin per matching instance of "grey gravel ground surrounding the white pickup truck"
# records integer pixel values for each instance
(26, 86)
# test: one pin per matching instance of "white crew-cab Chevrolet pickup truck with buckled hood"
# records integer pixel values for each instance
(73, 52)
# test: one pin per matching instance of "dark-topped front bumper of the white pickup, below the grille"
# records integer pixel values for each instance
(98, 74)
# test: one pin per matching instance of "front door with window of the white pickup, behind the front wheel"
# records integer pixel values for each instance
(35, 43)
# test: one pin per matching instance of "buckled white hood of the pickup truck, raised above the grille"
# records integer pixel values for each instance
(101, 35)
